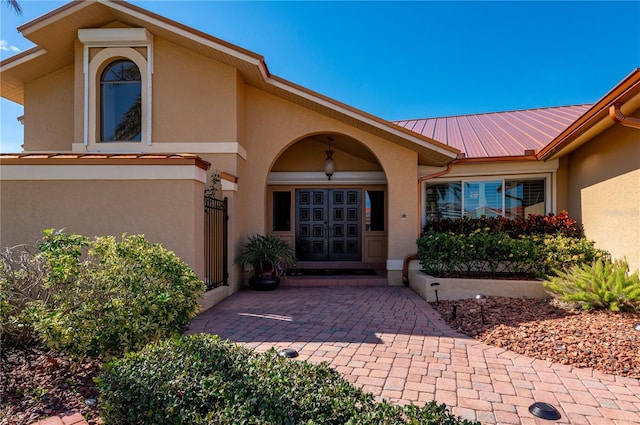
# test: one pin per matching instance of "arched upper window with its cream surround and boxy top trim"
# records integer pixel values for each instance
(118, 64)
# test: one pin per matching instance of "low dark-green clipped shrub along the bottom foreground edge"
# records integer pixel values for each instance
(200, 379)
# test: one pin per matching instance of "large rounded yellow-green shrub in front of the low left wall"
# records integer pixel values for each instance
(107, 297)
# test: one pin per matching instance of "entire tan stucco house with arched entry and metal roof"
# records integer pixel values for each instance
(127, 114)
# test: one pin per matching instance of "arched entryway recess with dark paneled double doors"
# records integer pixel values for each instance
(328, 220)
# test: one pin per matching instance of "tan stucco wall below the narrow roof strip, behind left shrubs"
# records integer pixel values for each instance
(166, 211)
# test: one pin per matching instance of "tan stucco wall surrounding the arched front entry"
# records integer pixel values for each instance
(273, 124)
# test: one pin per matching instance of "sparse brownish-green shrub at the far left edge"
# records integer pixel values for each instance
(22, 271)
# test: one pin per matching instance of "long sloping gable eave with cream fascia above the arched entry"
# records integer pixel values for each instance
(55, 35)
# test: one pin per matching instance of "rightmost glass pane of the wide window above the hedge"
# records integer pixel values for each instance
(524, 197)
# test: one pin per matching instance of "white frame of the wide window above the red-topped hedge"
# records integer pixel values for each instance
(548, 197)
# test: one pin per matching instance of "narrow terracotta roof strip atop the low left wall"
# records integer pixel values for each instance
(68, 158)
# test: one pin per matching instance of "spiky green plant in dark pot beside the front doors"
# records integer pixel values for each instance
(268, 256)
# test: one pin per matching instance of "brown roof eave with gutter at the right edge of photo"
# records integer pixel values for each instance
(594, 121)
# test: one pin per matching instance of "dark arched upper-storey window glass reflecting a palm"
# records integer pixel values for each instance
(121, 102)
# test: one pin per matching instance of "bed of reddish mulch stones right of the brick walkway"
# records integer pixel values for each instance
(548, 330)
